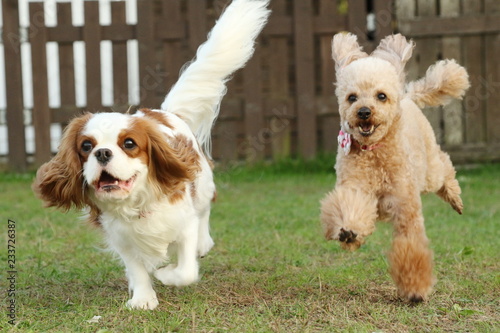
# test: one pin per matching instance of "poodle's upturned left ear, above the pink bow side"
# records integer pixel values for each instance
(345, 49)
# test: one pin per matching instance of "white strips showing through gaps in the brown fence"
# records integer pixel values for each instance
(53, 68)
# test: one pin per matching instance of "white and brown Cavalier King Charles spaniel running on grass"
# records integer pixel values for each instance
(146, 179)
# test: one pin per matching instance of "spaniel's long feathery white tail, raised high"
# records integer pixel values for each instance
(197, 94)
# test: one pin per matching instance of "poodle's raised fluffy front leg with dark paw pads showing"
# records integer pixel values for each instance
(348, 215)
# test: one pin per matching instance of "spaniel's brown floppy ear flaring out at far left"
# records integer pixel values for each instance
(59, 182)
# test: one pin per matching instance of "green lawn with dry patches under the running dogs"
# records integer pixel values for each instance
(270, 271)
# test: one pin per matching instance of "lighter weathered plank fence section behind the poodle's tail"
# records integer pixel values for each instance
(468, 31)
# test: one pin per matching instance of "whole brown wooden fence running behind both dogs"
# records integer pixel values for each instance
(282, 103)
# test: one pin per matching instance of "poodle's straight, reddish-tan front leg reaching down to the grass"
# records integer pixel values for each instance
(410, 258)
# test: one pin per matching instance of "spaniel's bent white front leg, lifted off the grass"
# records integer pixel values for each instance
(186, 270)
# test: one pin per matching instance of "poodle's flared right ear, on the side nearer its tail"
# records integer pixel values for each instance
(397, 50)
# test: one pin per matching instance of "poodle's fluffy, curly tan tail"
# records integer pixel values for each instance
(442, 82)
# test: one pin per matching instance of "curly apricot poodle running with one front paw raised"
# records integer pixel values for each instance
(388, 154)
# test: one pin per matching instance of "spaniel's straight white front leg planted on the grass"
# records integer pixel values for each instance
(143, 295)
